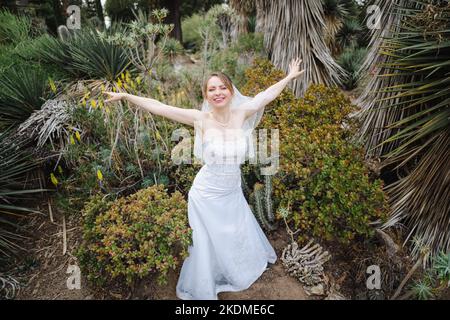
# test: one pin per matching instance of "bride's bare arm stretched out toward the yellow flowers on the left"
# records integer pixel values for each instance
(186, 116)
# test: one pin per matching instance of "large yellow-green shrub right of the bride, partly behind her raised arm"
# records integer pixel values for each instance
(323, 178)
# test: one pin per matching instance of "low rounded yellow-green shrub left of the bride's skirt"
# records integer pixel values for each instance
(130, 238)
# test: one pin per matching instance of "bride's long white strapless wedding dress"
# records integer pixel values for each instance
(230, 250)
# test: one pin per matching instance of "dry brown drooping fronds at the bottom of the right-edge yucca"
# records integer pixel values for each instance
(420, 199)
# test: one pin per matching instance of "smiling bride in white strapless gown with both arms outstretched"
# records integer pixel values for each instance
(229, 250)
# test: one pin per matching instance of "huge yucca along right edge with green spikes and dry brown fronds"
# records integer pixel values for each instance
(406, 112)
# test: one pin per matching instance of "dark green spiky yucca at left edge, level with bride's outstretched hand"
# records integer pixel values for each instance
(22, 90)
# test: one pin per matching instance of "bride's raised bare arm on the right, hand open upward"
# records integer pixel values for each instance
(265, 97)
